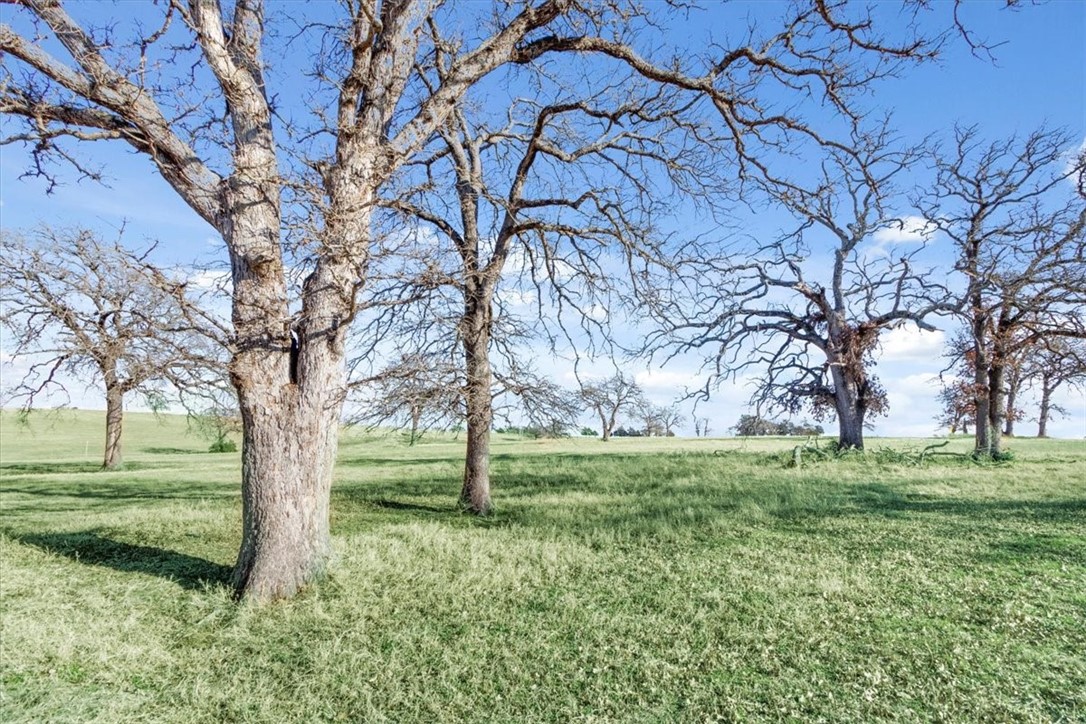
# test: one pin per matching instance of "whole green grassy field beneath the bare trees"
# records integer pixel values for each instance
(629, 581)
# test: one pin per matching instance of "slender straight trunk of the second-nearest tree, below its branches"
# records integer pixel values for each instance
(475, 494)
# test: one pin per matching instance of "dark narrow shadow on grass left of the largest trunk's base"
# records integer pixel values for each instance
(90, 548)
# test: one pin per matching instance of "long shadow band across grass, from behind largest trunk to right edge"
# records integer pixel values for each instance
(586, 500)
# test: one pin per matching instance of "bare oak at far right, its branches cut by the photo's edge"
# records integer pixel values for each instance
(1016, 211)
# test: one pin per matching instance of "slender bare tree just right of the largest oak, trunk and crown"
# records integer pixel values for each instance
(563, 189)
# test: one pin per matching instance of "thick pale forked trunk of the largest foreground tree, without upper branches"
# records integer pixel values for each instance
(289, 374)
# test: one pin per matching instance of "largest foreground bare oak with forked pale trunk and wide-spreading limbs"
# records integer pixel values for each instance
(190, 86)
